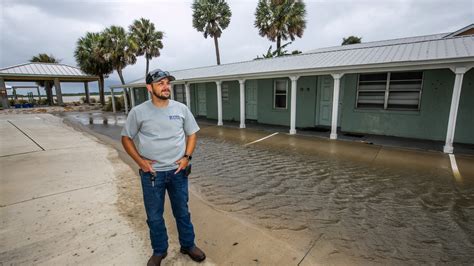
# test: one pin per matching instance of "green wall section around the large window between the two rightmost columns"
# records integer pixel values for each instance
(428, 123)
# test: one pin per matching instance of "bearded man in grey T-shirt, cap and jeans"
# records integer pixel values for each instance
(155, 137)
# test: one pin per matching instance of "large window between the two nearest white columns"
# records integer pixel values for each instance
(390, 91)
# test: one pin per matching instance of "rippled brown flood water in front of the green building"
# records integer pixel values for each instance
(369, 214)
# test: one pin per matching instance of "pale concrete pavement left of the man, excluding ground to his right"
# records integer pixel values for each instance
(58, 197)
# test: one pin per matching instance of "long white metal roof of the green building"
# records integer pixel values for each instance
(437, 51)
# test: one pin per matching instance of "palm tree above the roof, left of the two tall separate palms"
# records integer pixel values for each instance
(211, 17)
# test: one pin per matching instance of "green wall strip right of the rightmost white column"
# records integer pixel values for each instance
(464, 132)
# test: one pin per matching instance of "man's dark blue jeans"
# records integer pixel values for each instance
(154, 199)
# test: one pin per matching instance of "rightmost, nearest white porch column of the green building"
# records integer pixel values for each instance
(453, 112)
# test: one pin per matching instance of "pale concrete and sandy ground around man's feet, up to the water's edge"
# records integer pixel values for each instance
(68, 198)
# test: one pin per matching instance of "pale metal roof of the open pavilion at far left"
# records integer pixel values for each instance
(43, 69)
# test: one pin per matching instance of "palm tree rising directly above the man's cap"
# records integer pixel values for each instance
(148, 40)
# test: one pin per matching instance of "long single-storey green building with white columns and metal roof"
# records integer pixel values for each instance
(418, 87)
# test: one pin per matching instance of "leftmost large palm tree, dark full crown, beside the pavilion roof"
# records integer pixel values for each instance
(91, 58)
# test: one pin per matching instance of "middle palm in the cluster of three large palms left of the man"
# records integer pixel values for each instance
(120, 49)
